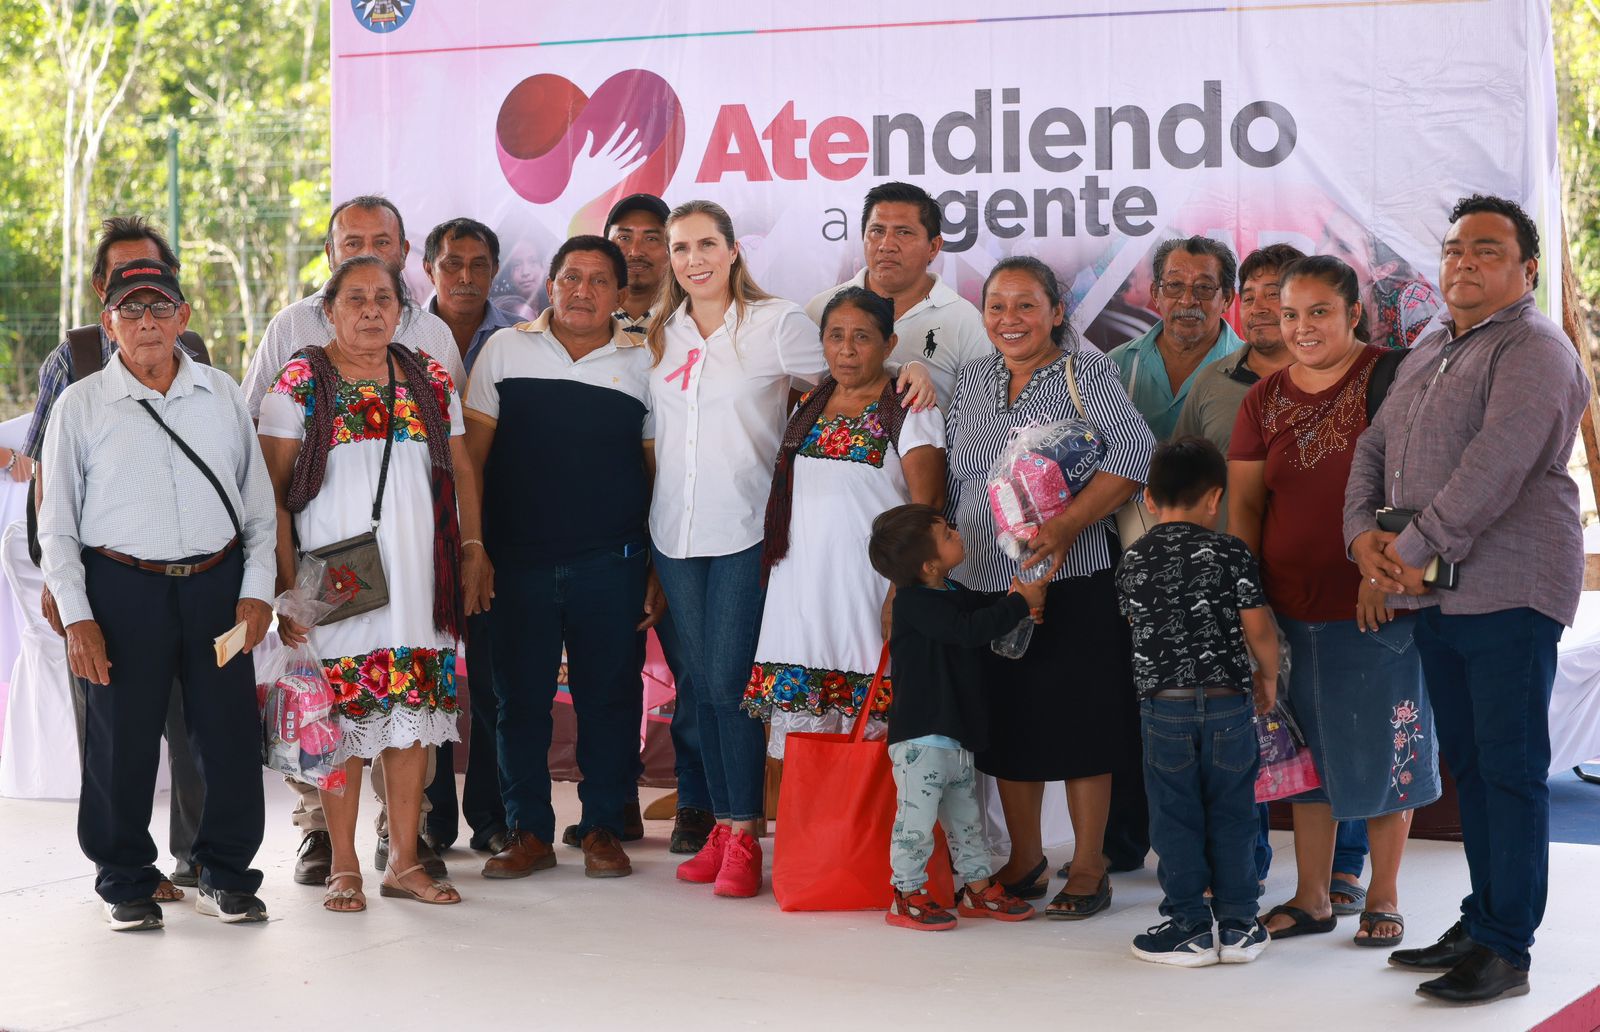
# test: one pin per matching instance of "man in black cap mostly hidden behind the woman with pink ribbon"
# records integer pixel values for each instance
(639, 226)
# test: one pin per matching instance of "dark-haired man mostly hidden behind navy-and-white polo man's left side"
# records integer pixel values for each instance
(462, 260)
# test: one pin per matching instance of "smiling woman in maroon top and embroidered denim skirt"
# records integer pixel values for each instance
(1356, 679)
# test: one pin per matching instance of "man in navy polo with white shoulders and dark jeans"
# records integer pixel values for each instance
(577, 574)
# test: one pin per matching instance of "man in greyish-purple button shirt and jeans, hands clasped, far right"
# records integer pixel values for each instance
(1474, 438)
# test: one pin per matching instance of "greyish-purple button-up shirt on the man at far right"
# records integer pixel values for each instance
(1476, 434)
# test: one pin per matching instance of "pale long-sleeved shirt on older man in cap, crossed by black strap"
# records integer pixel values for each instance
(114, 479)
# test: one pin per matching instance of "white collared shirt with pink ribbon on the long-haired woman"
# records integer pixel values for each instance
(721, 407)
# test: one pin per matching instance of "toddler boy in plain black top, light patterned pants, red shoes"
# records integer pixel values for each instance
(938, 714)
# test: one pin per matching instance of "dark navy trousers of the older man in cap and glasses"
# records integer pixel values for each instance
(159, 630)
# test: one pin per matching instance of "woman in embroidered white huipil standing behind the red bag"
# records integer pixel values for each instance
(850, 452)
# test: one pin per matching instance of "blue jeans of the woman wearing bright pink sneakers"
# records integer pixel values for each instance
(716, 604)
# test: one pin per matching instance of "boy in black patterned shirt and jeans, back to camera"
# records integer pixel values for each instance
(1194, 599)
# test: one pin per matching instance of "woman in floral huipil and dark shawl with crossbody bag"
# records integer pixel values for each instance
(322, 428)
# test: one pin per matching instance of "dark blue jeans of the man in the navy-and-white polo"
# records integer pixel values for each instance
(593, 606)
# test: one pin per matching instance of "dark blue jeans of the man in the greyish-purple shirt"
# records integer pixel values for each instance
(1490, 679)
